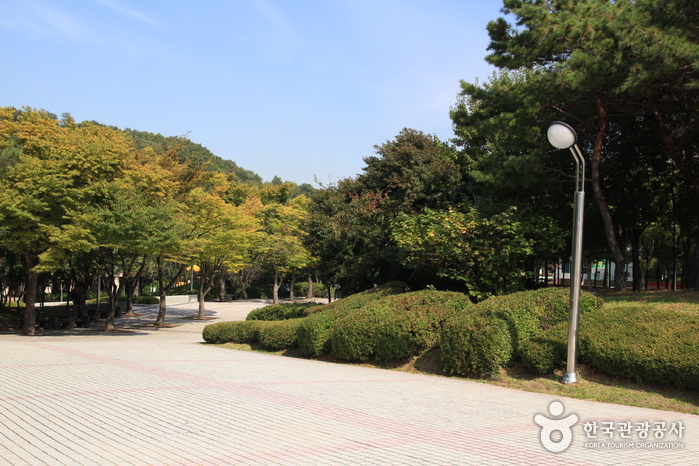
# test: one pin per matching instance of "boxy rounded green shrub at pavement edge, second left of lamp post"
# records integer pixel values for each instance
(475, 343)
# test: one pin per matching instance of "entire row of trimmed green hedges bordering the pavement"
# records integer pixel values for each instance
(385, 324)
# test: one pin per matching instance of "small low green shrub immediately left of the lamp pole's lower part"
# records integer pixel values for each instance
(547, 351)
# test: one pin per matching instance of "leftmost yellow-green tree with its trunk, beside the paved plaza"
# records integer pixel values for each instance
(61, 168)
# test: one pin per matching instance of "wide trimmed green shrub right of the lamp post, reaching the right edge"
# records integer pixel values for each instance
(643, 343)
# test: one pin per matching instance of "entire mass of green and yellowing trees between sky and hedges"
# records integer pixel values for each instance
(485, 213)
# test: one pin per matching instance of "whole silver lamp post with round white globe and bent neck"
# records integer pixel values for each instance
(563, 136)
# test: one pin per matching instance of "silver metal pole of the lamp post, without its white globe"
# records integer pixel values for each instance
(576, 266)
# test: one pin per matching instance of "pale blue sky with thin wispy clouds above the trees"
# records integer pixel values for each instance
(299, 89)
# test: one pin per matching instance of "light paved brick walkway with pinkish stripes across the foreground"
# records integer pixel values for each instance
(160, 397)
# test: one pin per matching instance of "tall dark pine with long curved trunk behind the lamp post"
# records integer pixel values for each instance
(625, 56)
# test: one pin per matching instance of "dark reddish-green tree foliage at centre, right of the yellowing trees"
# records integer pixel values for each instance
(349, 224)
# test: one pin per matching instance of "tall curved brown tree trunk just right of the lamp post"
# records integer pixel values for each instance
(612, 241)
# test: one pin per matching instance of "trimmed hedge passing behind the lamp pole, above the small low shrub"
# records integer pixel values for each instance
(528, 313)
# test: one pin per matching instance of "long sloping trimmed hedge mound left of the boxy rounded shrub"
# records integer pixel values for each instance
(395, 327)
